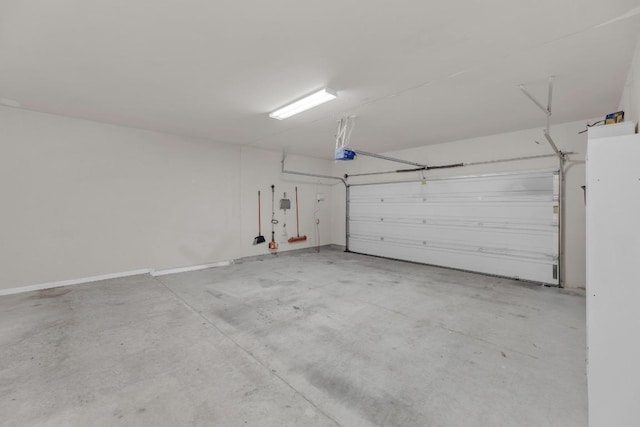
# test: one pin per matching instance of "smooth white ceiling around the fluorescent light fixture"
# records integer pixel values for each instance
(414, 72)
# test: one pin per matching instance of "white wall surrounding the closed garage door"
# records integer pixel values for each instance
(508, 145)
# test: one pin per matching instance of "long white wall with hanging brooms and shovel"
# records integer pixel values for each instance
(83, 199)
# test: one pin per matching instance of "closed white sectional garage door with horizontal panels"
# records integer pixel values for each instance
(501, 224)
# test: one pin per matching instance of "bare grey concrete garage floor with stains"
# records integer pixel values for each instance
(300, 339)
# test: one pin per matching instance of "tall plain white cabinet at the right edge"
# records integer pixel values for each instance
(613, 280)
